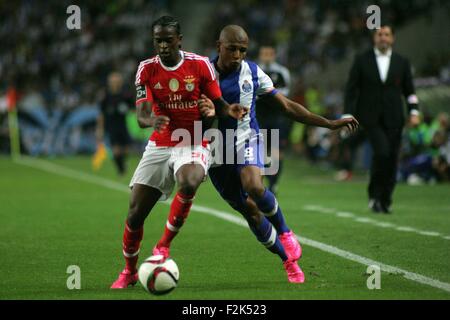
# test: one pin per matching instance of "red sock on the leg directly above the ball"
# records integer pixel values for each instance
(179, 210)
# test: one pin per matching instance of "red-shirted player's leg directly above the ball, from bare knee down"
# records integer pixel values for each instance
(189, 177)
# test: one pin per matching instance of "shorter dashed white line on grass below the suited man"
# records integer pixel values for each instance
(342, 214)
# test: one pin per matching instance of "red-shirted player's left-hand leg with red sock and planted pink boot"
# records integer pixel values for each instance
(142, 200)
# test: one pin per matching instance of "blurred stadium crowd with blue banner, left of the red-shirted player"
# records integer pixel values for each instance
(58, 72)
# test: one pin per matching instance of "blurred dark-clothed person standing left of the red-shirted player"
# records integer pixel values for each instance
(111, 122)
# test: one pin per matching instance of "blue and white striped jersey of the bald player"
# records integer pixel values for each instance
(243, 86)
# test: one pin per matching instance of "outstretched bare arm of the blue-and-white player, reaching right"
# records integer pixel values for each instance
(299, 113)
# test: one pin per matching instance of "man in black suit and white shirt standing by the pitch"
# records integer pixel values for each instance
(378, 80)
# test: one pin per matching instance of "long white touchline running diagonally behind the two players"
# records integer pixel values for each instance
(67, 172)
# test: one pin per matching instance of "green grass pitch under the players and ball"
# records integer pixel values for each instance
(49, 221)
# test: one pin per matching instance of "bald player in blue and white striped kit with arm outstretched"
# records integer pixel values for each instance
(240, 184)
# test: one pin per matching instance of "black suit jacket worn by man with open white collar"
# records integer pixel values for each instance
(373, 102)
